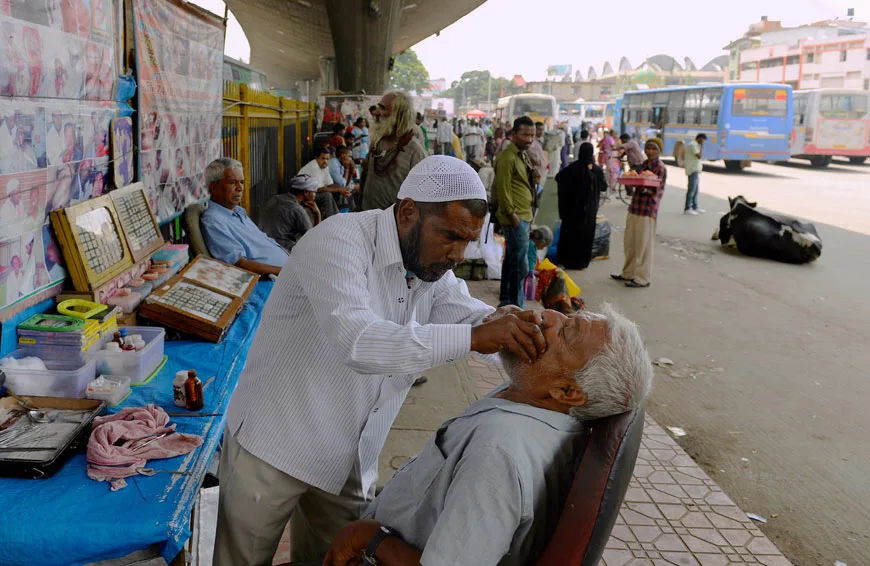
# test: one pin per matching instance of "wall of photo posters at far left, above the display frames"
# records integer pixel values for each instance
(57, 85)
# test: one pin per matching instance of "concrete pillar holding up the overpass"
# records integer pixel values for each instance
(363, 33)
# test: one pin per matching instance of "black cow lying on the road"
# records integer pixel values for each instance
(771, 236)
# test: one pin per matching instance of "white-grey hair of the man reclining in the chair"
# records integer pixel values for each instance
(618, 378)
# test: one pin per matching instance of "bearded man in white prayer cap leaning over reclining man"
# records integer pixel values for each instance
(367, 302)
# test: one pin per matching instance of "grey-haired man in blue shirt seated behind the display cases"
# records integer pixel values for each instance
(229, 234)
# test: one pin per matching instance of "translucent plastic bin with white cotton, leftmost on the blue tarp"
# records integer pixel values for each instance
(62, 378)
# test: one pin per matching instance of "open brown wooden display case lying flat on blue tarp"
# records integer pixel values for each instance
(203, 299)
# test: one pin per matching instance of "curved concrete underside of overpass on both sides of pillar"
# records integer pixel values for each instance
(288, 37)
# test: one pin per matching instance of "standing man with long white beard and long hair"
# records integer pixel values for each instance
(394, 151)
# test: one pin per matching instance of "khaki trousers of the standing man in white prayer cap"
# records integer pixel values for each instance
(257, 500)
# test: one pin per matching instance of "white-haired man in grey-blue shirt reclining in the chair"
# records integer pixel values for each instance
(489, 486)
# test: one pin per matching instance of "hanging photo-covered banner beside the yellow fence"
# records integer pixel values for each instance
(180, 62)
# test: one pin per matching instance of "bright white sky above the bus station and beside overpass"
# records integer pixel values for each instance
(584, 33)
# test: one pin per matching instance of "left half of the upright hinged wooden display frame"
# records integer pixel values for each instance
(74, 226)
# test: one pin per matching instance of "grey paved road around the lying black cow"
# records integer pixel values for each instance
(771, 360)
